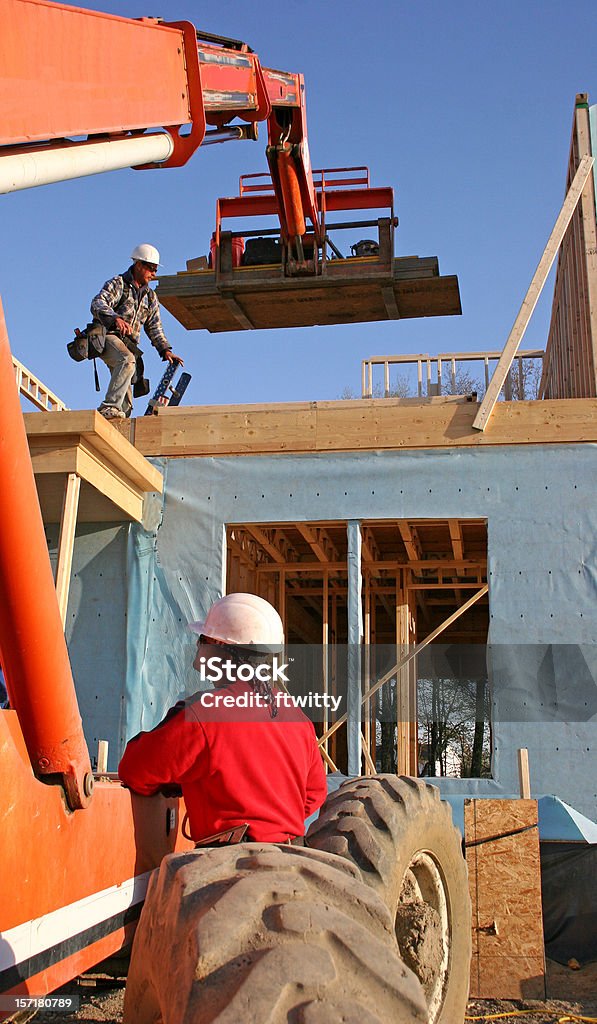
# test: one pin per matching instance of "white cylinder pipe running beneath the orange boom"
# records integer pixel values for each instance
(44, 167)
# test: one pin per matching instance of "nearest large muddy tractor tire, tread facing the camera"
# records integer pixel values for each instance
(260, 934)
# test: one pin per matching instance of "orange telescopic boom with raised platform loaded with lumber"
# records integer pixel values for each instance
(72, 107)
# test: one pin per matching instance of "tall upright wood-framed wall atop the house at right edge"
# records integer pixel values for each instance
(571, 362)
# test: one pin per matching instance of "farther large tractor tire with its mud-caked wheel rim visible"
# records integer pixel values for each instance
(401, 836)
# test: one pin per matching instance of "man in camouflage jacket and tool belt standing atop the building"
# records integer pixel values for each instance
(124, 306)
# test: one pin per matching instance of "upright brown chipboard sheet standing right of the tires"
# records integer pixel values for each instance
(502, 847)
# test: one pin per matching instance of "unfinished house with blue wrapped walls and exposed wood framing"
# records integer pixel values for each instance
(392, 523)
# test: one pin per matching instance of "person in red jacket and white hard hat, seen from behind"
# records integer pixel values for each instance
(242, 753)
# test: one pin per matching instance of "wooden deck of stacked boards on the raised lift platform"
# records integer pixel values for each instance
(352, 291)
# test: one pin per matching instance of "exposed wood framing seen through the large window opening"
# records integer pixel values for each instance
(303, 568)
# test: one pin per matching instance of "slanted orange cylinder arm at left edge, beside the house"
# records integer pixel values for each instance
(33, 650)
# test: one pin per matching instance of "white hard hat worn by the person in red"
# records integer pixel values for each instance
(244, 621)
